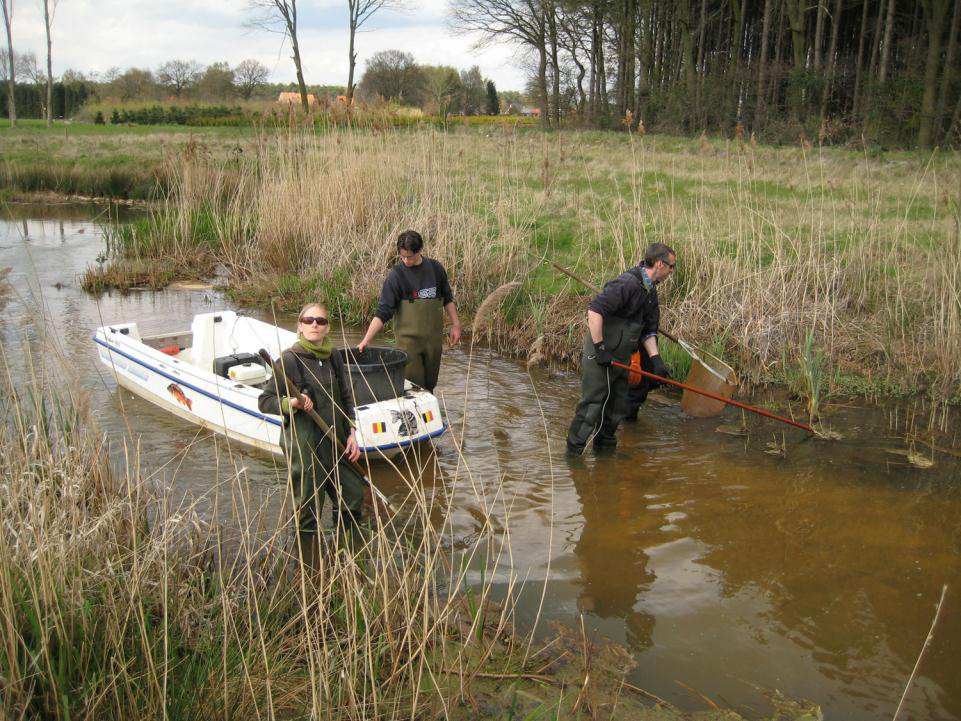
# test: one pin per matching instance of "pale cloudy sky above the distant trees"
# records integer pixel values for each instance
(95, 35)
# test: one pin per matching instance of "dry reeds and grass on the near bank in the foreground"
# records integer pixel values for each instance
(120, 602)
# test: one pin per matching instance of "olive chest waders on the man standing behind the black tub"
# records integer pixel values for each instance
(419, 330)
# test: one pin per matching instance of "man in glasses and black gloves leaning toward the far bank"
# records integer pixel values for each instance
(622, 318)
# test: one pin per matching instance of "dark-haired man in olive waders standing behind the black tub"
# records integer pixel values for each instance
(416, 294)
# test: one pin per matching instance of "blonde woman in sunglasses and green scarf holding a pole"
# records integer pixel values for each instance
(316, 466)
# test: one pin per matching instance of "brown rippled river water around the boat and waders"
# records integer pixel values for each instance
(719, 566)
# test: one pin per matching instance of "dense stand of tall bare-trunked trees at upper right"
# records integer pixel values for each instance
(881, 70)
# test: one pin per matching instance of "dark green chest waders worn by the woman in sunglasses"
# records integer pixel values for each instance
(312, 457)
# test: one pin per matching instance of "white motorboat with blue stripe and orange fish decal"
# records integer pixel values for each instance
(212, 375)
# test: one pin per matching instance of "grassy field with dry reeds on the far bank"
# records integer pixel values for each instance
(829, 270)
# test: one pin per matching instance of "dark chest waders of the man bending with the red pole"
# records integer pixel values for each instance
(603, 403)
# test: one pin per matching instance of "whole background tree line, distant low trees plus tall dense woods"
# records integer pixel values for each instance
(882, 73)
